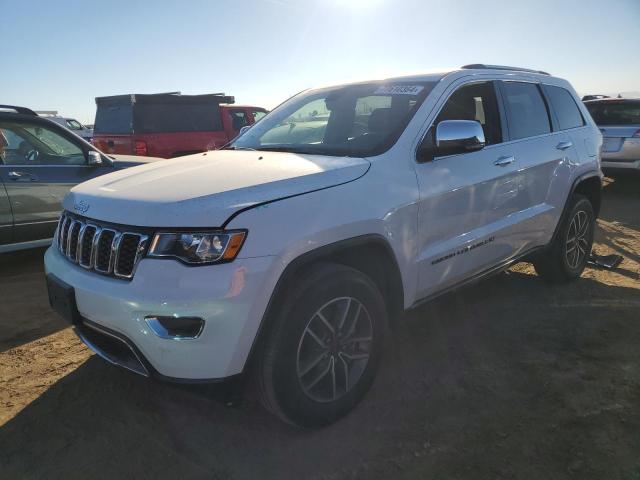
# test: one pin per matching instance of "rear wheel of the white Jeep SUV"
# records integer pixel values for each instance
(567, 256)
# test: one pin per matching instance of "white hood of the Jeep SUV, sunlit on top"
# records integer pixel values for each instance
(204, 190)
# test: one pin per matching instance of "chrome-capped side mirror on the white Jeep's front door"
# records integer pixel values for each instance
(458, 136)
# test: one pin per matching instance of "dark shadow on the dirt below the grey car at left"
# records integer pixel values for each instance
(25, 314)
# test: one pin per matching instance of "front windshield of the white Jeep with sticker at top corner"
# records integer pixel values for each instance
(351, 120)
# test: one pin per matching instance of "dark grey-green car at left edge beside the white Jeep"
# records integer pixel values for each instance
(40, 161)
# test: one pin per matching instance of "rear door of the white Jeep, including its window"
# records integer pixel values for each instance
(546, 157)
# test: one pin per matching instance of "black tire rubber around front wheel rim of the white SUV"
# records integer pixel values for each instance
(291, 398)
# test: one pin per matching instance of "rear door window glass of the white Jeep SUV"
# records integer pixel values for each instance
(526, 110)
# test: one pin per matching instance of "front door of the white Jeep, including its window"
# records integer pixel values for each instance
(466, 200)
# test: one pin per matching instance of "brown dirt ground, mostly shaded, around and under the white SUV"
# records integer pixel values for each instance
(510, 378)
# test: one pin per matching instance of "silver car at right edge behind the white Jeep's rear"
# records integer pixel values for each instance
(619, 122)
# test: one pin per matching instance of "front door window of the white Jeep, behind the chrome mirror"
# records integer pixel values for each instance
(476, 101)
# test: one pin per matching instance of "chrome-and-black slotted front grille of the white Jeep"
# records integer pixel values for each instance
(100, 248)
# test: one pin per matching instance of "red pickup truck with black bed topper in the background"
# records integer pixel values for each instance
(169, 125)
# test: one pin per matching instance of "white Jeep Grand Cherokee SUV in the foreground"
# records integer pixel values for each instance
(289, 253)
